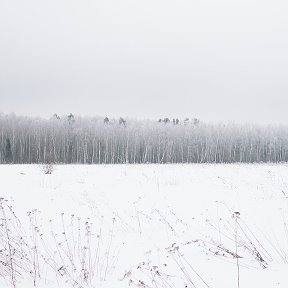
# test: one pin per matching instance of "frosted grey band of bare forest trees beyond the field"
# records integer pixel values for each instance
(71, 139)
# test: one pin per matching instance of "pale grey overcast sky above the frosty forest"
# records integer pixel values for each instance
(215, 60)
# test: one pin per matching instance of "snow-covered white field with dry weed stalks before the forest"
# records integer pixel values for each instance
(160, 226)
